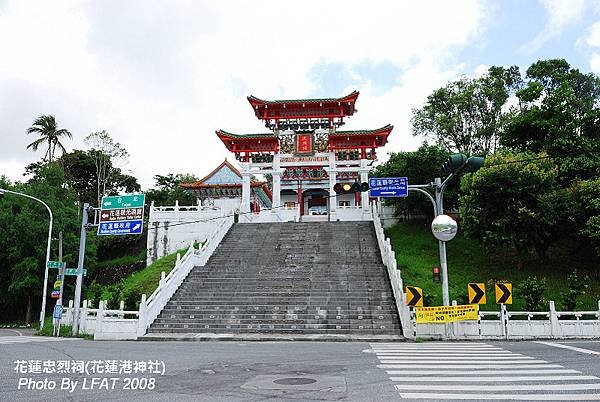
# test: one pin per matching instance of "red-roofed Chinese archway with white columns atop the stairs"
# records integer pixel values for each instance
(306, 154)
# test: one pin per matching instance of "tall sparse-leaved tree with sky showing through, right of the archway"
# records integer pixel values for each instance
(467, 115)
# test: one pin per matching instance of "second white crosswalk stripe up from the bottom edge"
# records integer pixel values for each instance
(511, 387)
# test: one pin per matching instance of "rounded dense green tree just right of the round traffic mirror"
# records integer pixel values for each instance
(504, 202)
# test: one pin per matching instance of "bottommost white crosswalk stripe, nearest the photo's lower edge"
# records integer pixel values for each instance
(518, 397)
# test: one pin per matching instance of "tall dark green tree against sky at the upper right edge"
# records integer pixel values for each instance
(558, 113)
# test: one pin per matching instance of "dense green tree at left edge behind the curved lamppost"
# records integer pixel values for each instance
(23, 235)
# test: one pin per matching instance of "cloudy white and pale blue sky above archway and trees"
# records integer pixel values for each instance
(162, 76)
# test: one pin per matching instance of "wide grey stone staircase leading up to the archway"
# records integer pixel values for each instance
(288, 280)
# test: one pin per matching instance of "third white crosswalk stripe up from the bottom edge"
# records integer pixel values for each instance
(472, 376)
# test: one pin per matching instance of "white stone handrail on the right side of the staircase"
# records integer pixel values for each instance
(388, 257)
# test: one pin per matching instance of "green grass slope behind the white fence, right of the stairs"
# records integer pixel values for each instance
(417, 252)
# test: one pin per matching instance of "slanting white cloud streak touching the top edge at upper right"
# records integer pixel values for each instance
(560, 15)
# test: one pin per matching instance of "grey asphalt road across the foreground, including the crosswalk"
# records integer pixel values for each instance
(291, 371)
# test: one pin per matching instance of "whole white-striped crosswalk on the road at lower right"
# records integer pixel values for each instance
(479, 372)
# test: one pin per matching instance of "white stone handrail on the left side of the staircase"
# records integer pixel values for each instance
(151, 307)
